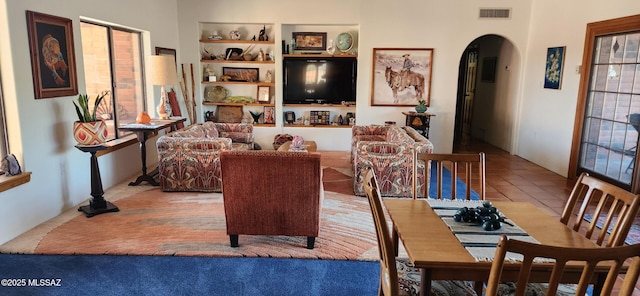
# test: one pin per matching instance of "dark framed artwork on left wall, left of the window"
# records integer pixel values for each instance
(53, 63)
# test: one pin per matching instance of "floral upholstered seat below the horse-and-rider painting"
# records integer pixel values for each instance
(390, 151)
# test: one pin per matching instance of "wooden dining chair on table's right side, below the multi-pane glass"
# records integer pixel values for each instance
(606, 213)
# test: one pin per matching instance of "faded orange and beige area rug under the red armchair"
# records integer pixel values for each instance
(153, 222)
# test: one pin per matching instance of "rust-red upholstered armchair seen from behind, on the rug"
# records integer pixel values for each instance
(271, 193)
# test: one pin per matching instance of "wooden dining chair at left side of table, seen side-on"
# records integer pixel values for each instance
(397, 276)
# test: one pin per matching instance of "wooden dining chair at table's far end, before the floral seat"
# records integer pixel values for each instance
(470, 168)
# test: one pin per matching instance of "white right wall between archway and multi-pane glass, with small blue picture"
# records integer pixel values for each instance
(547, 116)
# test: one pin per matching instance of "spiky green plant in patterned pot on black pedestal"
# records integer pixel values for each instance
(89, 130)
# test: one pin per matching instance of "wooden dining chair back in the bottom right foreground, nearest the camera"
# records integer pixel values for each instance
(561, 255)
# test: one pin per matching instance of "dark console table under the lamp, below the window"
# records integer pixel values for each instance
(144, 132)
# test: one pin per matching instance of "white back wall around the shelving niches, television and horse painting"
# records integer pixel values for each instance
(446, 26)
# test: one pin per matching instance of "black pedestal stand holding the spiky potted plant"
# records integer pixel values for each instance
(97, 204)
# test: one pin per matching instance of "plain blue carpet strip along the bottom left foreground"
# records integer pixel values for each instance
(166, 275)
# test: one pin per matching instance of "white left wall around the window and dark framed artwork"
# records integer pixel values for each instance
(40, 130)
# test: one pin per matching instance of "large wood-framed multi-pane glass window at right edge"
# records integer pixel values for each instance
(607, 125)
